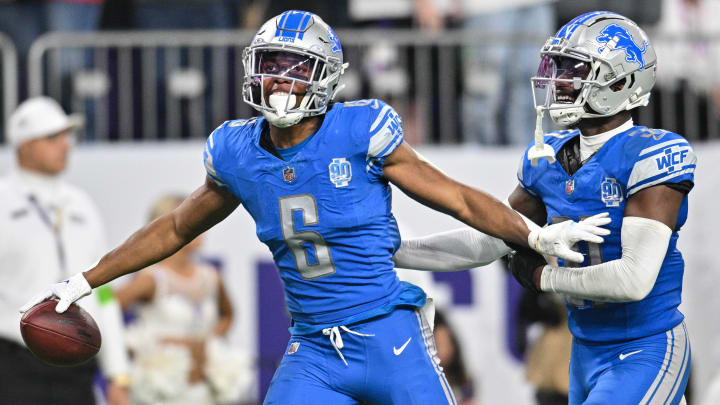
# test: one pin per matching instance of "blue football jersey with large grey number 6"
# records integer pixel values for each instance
(325, 214)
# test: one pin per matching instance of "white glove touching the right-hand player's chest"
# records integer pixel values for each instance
(557, 239)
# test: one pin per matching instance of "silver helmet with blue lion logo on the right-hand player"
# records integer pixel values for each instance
(597, 65)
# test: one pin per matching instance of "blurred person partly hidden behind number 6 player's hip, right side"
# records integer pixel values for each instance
(451, 360)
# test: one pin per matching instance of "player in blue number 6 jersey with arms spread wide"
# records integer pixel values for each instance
(314, 175)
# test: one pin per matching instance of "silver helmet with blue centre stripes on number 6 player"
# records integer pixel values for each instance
(304, 55)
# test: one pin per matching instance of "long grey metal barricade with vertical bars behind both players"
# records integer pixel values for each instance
(162, 85)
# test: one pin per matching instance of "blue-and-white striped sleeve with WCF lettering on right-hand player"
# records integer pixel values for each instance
(669, 159)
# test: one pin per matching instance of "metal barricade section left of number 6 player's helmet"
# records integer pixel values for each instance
(142, 85)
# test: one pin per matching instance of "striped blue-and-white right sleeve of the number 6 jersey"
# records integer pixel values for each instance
(380, 136)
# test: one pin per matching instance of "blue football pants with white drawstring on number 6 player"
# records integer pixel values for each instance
(394, 363)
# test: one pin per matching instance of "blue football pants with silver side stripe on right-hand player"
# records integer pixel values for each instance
(650, 370)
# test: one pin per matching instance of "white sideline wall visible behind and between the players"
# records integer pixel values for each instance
(124, 179)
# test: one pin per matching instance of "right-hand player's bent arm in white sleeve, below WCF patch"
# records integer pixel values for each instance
(650, 216)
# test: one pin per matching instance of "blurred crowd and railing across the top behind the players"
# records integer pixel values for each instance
(457, 70)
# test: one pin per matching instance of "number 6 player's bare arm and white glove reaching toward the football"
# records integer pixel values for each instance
(205, 207)
